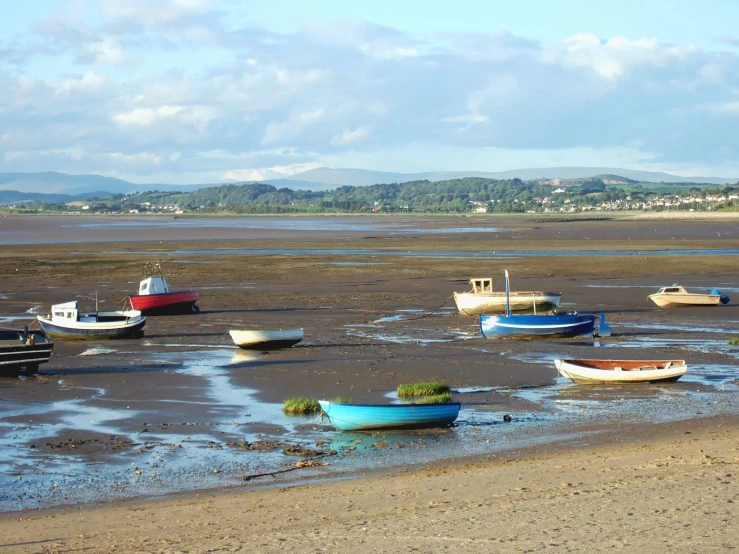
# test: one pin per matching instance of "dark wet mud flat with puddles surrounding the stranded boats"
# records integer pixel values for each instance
(183, 409)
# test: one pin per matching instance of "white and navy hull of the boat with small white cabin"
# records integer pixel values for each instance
(109, 327)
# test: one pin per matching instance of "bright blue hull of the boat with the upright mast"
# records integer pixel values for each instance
(520, 325)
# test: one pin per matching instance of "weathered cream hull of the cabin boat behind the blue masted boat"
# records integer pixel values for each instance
(472, 304)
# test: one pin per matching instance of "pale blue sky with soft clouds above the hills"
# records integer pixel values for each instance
(207, 91)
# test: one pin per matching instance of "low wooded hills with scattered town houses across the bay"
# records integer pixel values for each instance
(468, 195)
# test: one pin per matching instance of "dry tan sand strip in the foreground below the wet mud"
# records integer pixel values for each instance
(662, 490)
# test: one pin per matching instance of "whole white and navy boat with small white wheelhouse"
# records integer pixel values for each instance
(67, 322)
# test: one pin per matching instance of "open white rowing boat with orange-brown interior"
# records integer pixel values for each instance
(616, 372)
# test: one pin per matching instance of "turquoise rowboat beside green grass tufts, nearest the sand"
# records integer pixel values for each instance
(363, 417)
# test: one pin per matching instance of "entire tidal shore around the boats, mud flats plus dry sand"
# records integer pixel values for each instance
(175, 442)
